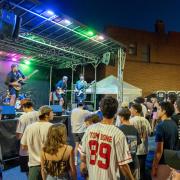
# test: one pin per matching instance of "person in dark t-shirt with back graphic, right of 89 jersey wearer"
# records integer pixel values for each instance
(133, 140)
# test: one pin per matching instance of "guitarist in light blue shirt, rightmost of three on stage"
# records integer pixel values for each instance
(80, 88)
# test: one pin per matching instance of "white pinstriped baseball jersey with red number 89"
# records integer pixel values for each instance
(105, 148)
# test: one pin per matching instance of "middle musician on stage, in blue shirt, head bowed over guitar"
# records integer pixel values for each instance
(61, 88)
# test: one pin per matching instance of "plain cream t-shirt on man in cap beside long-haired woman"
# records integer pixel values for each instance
(34, 137)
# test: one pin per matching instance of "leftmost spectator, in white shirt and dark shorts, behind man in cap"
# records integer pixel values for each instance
(30, 116)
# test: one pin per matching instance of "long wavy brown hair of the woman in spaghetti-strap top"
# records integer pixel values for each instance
(56, 137)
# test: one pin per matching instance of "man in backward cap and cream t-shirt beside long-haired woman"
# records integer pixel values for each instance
(33, 140)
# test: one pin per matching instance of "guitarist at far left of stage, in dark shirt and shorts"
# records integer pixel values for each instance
(13, 80)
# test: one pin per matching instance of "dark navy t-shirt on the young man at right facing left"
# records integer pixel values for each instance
(167, 133)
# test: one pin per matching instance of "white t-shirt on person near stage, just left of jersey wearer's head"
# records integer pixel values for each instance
(77, 120)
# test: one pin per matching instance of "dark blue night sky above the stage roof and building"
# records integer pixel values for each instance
(139, 14)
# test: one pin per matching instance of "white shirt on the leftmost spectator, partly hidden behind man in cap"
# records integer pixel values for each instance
(25, 120)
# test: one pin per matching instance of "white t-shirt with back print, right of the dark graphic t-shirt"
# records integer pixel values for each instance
(144, 129)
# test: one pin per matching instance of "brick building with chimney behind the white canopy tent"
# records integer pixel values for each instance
(153, 58)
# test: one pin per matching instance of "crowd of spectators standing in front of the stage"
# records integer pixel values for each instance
(103, 149)
